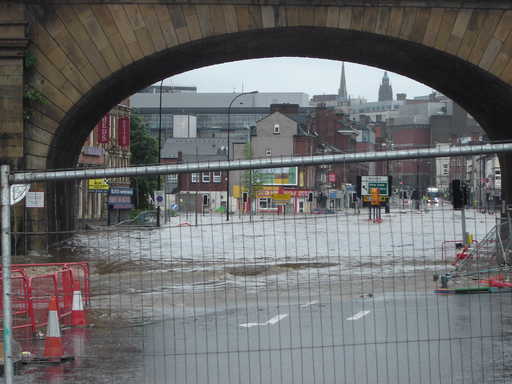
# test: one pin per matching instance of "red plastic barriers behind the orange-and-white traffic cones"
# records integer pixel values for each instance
(32, 292)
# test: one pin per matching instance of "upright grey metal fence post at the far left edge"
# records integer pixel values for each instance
(6, 272)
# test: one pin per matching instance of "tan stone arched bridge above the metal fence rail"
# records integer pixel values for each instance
(83, 57)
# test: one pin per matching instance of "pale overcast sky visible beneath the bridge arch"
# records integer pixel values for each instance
(312, 76)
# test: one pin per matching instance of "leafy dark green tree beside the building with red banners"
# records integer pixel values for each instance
(144, 149)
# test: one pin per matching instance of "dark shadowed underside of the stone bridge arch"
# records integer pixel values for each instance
(485, 97)
